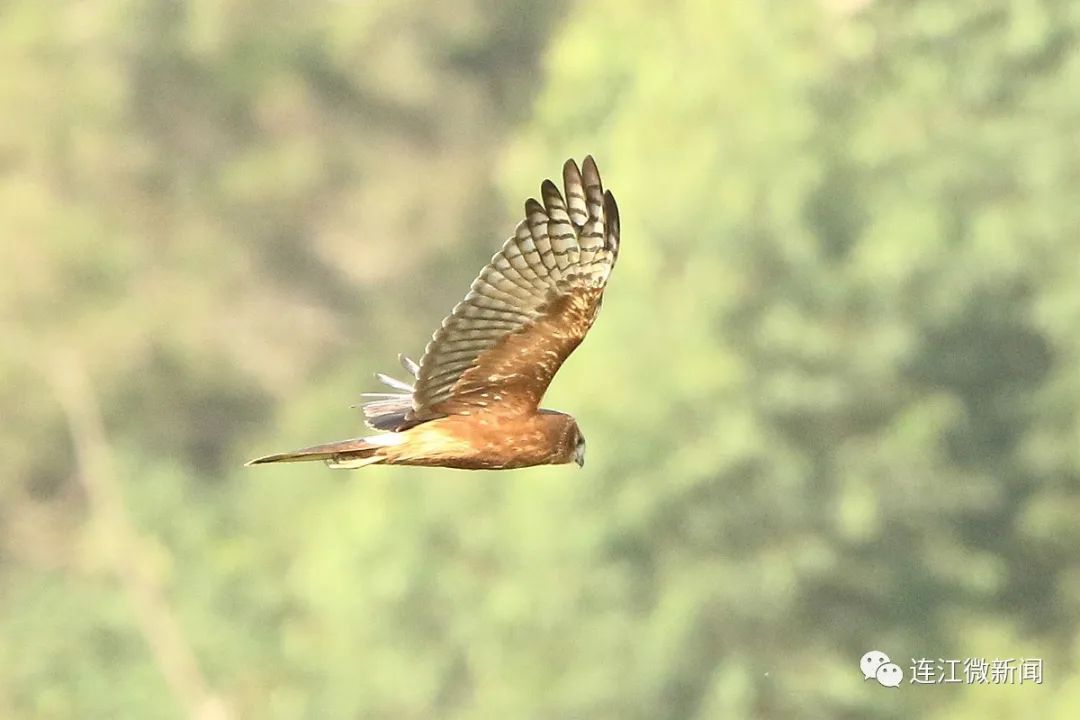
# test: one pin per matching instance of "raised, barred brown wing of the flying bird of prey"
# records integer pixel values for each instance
(529, 309)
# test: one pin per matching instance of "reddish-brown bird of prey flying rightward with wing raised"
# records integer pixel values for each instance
(476, 395)
